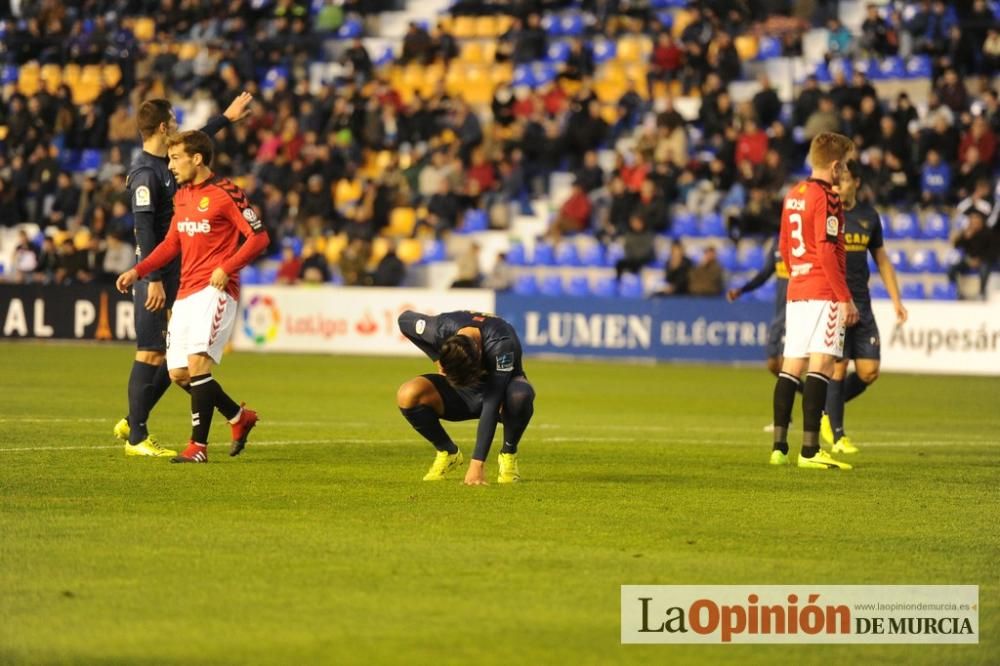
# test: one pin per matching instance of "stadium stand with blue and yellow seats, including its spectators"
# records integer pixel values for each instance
(422, 120)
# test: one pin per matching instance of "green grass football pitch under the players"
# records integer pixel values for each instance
(322, 545)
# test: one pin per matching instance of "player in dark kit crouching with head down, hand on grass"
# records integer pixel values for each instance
(480, 376)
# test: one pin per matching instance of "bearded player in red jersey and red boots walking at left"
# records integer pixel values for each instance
(211, 215)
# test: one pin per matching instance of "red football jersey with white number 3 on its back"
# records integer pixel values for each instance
(812, 243)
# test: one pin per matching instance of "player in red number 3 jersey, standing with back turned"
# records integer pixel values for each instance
(820, 306)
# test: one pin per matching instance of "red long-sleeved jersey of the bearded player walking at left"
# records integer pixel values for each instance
(209, 220)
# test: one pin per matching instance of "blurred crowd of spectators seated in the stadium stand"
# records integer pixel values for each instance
(342, 159)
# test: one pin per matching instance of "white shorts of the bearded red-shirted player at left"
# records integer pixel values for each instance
(201, 323)
